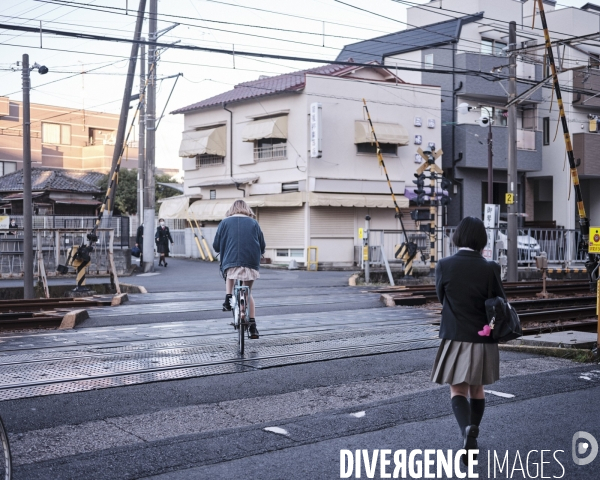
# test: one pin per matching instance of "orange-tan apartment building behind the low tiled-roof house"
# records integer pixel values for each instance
(74, 139)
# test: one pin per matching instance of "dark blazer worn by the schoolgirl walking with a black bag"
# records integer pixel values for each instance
(462, 283)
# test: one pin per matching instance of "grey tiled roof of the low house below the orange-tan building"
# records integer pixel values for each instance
(43, 179)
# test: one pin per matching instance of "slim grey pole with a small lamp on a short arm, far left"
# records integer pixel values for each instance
(27, 202)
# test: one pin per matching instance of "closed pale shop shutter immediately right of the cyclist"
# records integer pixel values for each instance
(282, 227)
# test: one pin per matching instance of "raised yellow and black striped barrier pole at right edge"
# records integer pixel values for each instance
(584, 223)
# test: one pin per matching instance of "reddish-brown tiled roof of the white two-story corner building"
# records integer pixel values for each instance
(288, 82)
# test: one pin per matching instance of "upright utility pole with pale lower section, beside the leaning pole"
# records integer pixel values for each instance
(149, 186)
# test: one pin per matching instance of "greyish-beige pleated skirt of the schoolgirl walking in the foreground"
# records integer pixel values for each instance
(473, 363)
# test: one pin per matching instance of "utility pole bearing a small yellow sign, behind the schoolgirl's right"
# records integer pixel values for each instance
(512, 260)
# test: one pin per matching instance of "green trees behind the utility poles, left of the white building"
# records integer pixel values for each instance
(126, 196)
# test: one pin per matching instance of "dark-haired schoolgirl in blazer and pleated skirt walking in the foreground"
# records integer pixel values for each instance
(467, 359)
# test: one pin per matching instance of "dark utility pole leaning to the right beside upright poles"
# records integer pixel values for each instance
(126, 101)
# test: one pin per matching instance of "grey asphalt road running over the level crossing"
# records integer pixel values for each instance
(270, 419)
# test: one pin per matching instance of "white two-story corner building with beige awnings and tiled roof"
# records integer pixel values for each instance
(254, 142)
